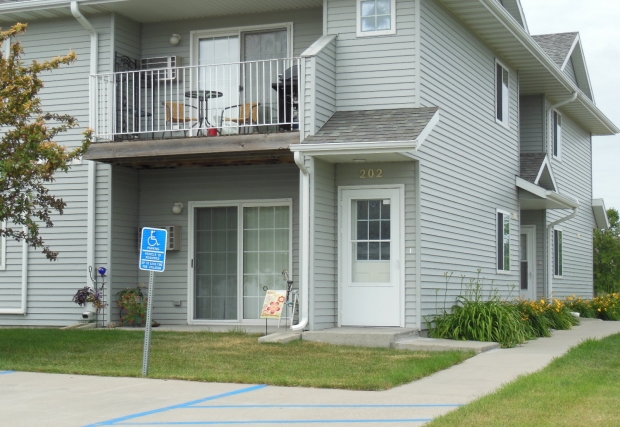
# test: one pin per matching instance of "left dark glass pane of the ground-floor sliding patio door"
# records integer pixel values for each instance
(216, 263)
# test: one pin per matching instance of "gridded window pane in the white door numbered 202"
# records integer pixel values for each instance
(371, 241)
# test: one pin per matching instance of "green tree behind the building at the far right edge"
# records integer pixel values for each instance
(607, 256)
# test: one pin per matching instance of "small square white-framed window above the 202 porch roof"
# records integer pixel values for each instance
(376, 17)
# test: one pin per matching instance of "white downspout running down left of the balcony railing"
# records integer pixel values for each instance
(92, 166)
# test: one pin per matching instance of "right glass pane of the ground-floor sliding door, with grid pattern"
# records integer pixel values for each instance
(266, 253)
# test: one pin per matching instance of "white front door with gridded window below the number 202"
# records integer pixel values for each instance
(370, 251)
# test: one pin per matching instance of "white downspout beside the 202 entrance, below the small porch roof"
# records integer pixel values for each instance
(304, 244)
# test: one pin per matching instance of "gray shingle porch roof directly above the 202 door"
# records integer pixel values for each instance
(403, 124)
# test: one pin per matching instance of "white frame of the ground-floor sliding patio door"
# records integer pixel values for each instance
(239, 204)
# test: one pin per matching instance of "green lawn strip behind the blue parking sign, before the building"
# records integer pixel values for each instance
(216, 357)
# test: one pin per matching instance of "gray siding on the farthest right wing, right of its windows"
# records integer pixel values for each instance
(573, 174)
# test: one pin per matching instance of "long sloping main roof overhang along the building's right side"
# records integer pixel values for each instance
(538, 73)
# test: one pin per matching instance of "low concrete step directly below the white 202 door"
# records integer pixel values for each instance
(361, 337)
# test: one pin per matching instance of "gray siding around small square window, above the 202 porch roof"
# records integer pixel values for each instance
(374, 72)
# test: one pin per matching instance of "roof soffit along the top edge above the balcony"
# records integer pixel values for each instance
(149, 10)
